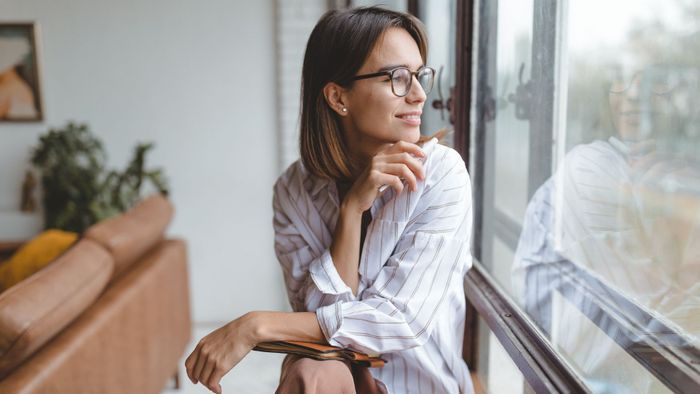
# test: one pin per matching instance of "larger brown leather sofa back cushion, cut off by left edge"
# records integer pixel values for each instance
(36, 309)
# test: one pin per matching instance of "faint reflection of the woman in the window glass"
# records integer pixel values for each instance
(607, 211)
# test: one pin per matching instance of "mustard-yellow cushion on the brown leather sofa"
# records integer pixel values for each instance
(35, 255)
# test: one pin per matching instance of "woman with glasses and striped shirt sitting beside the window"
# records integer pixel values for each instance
(373, 268)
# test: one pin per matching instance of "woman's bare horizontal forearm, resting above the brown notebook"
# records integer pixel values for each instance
(285, 326)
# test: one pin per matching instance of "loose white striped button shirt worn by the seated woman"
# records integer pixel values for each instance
(410, 303)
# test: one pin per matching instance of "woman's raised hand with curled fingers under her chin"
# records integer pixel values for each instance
(388, 167)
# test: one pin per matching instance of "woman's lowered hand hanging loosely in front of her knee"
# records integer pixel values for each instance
(220, 351)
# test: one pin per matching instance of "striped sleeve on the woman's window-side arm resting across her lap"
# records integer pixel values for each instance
(398, 310)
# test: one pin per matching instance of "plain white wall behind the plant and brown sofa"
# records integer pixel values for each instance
(198, 79)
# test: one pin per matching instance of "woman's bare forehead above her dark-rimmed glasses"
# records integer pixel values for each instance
(393, 48)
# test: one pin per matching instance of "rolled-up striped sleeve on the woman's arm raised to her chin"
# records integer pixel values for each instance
(309, 273)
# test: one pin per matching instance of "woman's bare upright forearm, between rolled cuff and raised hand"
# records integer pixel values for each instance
(345, 248)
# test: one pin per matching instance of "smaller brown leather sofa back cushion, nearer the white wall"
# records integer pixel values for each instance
(130, 235)
